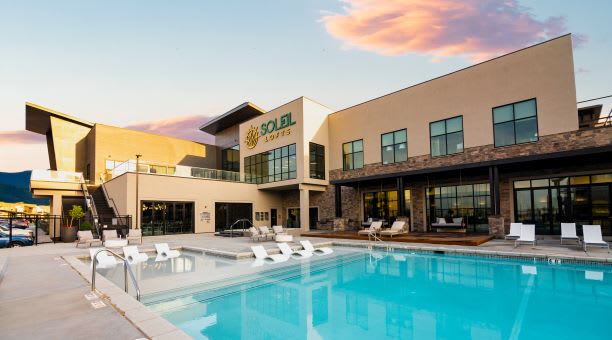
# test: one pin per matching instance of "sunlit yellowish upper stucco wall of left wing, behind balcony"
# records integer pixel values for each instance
(123, 144)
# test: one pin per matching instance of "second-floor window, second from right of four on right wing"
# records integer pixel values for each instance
(446, 136)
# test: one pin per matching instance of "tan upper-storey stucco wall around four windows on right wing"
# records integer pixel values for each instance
(545, 72)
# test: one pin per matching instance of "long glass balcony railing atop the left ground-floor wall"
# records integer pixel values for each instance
(173, 170)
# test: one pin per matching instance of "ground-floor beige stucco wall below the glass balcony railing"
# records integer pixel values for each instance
(204, 193)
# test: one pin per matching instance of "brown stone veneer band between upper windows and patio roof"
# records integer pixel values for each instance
(567, 141)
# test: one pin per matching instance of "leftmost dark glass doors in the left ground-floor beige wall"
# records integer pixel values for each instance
(163, 218)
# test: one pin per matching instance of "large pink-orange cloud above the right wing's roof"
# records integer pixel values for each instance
(478, 29)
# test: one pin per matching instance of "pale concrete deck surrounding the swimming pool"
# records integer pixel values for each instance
(42, 290)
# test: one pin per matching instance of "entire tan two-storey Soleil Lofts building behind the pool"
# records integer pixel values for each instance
(497, 142)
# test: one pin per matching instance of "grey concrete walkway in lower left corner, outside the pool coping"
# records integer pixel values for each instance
(41, 297)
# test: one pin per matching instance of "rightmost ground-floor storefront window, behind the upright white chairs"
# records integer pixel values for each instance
(547, 202)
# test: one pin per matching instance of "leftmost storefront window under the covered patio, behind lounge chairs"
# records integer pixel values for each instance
(384, 205)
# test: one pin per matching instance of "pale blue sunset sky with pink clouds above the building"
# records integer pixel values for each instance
(169, 66)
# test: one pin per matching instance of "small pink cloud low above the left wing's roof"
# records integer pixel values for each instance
(185, 127)
